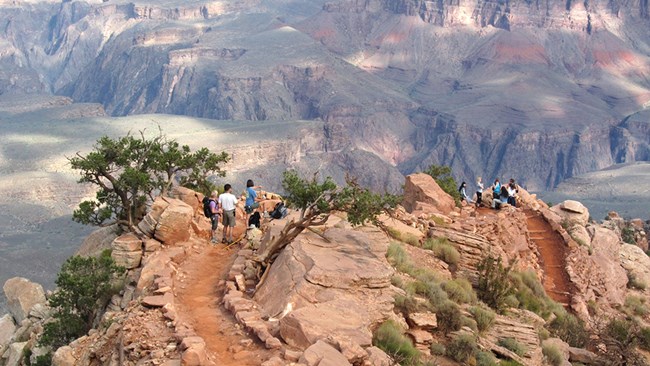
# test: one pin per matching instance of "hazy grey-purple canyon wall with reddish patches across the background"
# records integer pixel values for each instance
(491, 88)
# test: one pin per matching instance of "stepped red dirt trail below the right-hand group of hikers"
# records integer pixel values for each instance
(552, 257)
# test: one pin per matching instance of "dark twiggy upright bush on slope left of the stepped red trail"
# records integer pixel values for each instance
(494, 285)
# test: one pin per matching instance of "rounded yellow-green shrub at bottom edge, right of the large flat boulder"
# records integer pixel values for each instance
(390, 339)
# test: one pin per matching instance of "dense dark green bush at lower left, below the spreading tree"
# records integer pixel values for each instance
(84, 287)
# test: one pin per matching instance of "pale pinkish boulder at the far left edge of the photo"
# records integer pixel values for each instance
(21, 295)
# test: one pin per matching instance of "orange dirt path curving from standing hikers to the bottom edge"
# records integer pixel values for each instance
(200, 305)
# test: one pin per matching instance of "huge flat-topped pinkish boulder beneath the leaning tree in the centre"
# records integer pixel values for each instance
(338, 286)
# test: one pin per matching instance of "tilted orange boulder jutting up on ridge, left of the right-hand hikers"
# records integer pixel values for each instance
(423, 188)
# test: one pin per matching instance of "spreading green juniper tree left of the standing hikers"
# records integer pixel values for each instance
(130, 170)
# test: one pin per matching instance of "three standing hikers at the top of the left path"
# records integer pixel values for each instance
(224, 205)
